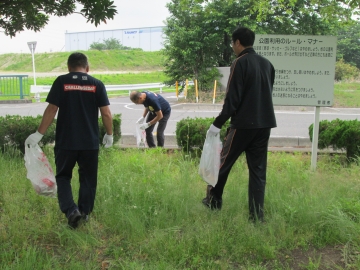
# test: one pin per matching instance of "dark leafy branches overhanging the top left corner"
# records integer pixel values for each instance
(16, 16)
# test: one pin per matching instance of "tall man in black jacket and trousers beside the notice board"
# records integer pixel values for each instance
(248, 102)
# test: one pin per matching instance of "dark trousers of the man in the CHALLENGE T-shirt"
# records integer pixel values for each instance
(87, 161)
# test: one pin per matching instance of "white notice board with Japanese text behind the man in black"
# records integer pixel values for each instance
(305, 68)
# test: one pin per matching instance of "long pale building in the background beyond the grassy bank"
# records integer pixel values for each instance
(146, 38)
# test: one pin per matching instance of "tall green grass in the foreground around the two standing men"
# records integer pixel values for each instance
(148, 215)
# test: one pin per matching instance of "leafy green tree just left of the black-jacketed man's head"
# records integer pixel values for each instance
(189, 46)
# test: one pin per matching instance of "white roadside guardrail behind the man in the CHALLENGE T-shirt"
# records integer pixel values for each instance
(37, 89)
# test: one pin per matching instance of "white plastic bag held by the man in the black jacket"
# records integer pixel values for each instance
(210, 159)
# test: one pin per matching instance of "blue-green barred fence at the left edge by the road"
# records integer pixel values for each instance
(14, 85)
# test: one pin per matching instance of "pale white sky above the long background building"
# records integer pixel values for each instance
(131, 14)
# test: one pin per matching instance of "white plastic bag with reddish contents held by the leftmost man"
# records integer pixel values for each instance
(39, 171)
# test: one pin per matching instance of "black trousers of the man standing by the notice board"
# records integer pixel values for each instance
(255, 144)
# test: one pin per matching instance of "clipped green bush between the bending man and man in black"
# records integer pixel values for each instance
(191, 132)
